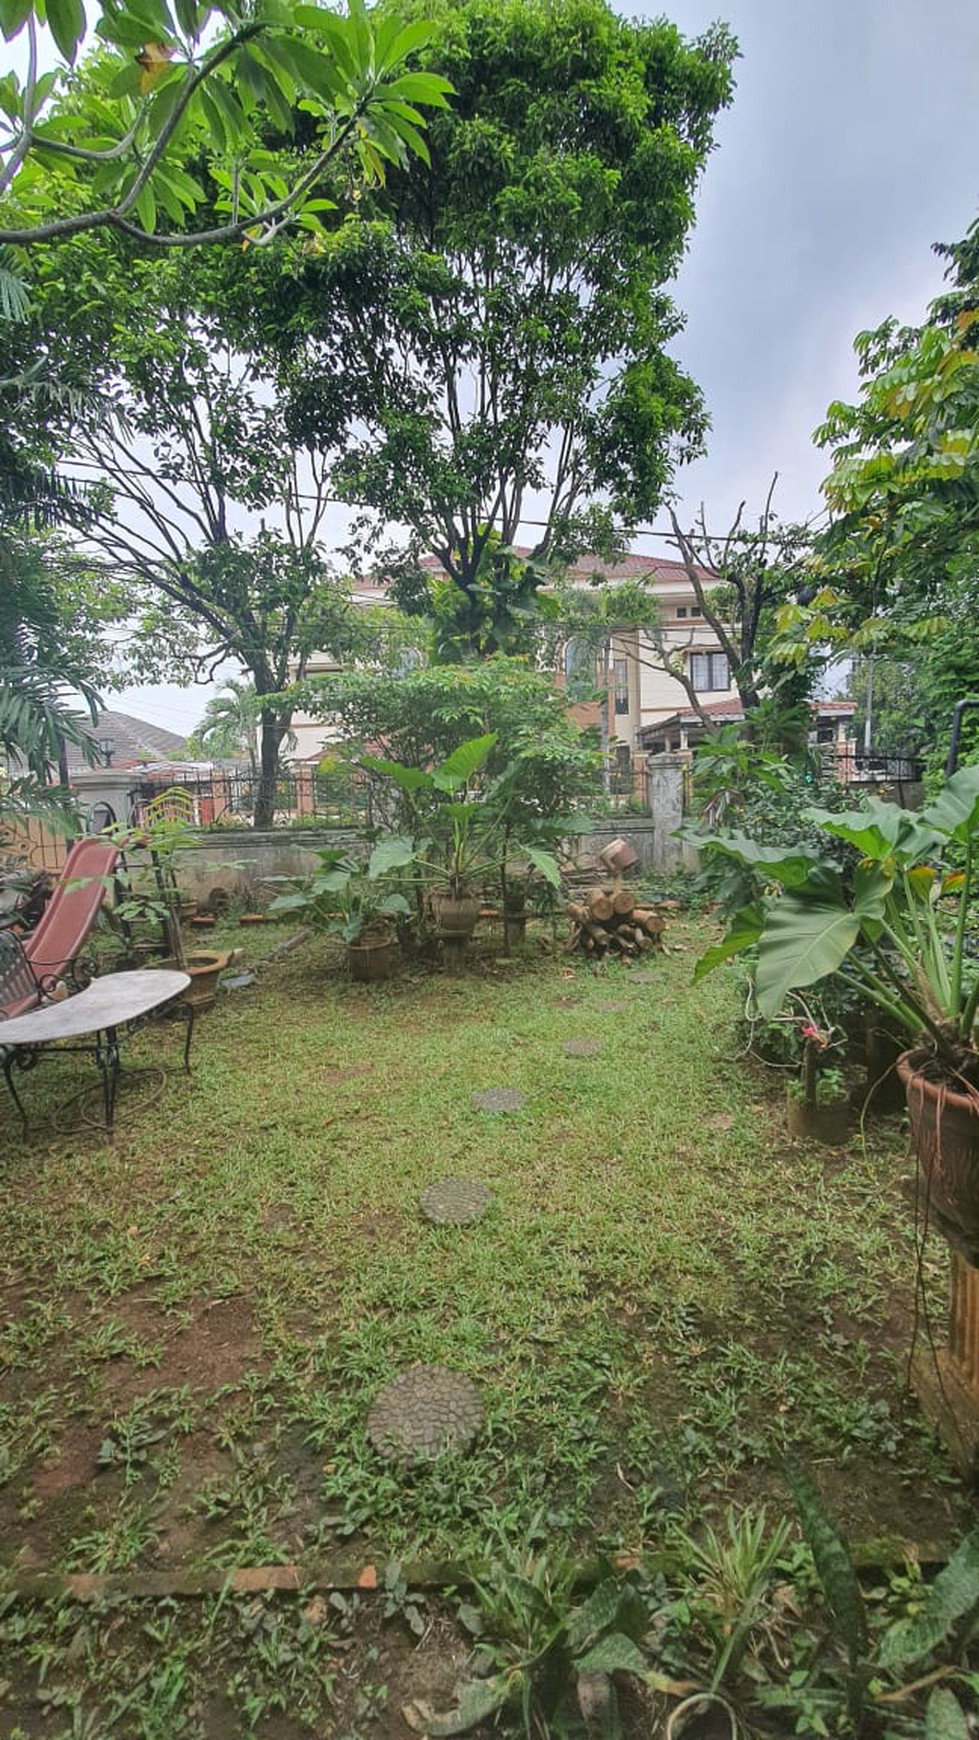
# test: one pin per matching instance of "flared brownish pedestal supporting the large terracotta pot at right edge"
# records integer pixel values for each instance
(947, 1382)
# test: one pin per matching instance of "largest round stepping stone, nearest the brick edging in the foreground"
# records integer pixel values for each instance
(425, 1412)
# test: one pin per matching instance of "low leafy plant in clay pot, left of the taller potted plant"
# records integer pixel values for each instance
(354, 902)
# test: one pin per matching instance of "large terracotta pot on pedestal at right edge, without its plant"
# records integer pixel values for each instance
(945, 1128)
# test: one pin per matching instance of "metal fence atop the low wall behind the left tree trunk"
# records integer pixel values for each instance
(227, 798)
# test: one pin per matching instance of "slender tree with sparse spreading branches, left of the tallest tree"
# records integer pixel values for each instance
(206, 512)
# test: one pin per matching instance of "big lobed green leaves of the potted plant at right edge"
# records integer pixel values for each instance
(898, 930)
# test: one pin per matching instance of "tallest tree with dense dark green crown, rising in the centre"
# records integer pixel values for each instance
(486, 338)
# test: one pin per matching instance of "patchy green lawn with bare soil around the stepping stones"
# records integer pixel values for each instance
(663, 1299)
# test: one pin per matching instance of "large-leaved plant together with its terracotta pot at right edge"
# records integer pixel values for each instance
(900, 932)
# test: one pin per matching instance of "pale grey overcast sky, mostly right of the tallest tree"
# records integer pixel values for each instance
(853, 145)
